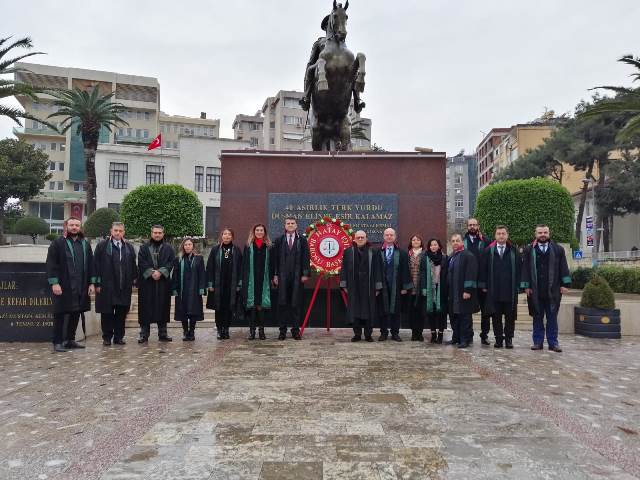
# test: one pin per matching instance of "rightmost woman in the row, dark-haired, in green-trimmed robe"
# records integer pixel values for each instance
(433, 281)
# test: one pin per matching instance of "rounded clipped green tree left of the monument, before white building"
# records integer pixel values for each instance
(174, 207)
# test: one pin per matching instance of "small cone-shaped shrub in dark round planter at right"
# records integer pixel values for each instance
(597, 316)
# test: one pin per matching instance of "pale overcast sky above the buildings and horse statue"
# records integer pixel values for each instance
(439, 72)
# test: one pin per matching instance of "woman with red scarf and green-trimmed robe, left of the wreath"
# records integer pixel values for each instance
(256, 293)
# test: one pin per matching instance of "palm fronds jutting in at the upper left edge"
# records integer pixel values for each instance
(11, 88)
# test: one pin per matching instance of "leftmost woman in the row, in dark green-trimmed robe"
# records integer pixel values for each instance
(189, 283)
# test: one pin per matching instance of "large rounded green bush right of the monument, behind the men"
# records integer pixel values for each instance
(522, 204)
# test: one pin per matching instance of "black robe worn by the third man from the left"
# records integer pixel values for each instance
(154, 297)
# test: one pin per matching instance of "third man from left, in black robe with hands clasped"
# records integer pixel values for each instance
(155, 260)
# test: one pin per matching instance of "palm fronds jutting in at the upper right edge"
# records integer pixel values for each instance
(627, 100)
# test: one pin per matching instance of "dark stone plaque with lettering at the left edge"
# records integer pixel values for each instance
(26, 307)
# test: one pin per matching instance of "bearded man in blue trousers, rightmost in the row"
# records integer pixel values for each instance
(545, 278)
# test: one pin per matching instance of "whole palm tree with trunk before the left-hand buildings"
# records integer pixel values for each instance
(91, 112)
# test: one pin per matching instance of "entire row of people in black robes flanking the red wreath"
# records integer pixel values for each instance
(382, 284)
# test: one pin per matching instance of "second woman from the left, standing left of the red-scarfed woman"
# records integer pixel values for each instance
(224, 272)
